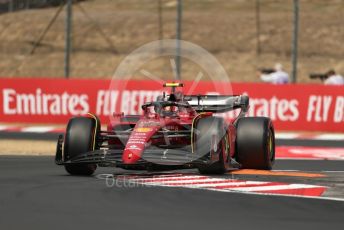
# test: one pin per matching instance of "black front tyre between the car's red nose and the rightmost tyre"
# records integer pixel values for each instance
(211, 140)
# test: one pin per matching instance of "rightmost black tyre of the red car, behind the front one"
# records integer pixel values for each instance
(255, 143)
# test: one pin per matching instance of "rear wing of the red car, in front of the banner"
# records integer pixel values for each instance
(218, 103)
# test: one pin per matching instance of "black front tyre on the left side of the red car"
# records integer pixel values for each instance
(80, 138)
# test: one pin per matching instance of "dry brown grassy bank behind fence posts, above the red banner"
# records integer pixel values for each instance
(242, 35)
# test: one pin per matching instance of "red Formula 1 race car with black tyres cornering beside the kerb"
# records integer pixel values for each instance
(175, 132)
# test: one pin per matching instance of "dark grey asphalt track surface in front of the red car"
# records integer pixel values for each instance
(36, 194)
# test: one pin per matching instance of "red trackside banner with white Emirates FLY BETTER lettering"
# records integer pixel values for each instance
(291, 107)
